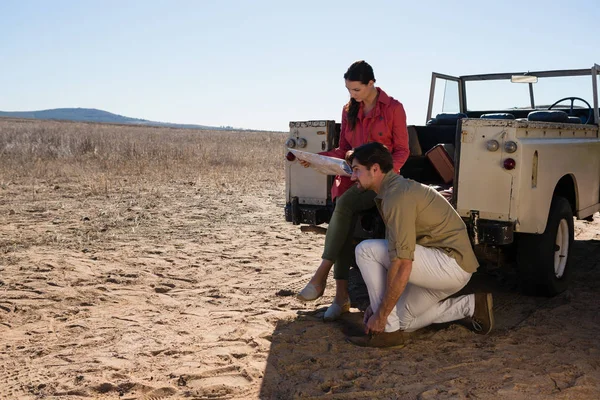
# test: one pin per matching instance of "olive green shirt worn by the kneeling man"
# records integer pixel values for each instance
(417, 214)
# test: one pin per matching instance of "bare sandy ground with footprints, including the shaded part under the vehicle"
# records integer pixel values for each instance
(183, 292)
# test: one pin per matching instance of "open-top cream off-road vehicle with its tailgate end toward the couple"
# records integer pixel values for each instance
(524, 159)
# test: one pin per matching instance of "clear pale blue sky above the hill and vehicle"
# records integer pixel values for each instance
(259, 64)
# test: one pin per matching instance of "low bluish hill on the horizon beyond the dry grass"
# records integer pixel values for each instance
(94, 115)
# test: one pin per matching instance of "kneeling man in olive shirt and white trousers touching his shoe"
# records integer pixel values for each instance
(425, 258)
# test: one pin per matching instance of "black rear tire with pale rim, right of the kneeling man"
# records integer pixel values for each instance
(543, 260)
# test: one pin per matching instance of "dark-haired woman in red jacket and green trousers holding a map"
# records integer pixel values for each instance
(370, 116)
